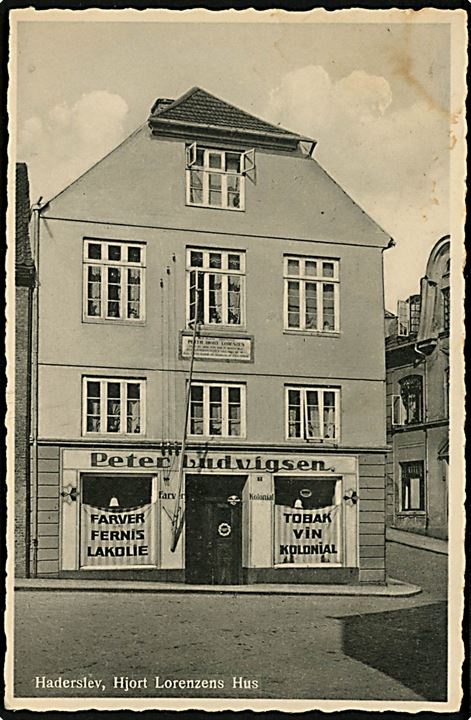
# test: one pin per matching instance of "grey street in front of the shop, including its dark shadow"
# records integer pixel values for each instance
(286, 646)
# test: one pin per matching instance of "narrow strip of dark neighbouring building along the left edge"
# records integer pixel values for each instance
(24, 285)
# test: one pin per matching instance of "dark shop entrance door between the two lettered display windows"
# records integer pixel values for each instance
(213, 538)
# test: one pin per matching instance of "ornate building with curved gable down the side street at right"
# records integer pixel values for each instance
(417, 362)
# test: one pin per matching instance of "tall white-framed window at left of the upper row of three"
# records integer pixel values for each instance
(113, 280)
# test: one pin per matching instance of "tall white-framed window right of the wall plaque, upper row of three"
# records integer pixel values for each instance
(311, 294)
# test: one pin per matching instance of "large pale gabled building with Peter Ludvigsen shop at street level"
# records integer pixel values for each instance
(211, 393)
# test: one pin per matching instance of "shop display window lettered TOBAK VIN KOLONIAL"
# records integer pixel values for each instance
(308, 521)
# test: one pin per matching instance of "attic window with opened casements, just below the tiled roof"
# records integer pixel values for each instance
(216, 178)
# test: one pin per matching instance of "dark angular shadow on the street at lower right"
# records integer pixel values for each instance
(407, 645)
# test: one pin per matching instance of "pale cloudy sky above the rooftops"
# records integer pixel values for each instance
(374, 95)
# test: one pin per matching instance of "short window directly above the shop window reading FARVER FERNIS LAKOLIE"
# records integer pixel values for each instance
(113, 406)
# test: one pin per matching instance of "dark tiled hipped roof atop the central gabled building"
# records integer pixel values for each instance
(199, 109)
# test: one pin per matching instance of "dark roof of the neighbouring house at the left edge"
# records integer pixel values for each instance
(24, 264)
